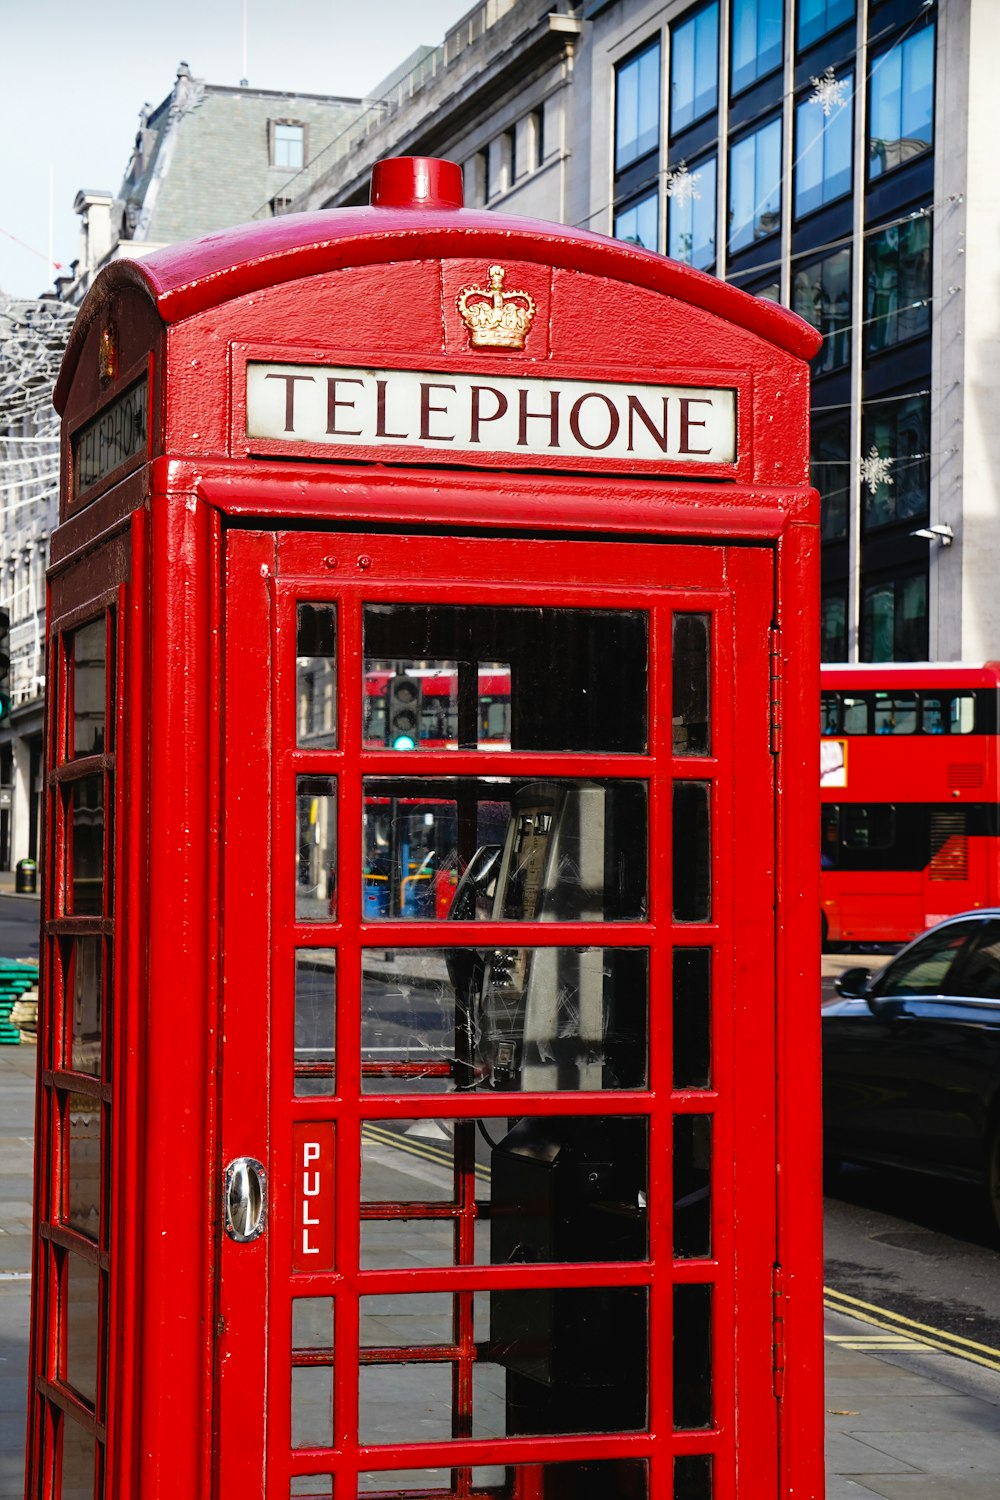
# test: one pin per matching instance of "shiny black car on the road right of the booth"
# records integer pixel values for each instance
(912, 1058)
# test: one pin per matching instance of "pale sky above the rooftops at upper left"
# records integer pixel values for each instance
(74, 79)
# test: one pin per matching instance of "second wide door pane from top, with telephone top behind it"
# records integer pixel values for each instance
(515, 851)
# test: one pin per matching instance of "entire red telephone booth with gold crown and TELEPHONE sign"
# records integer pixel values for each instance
(428, 1067)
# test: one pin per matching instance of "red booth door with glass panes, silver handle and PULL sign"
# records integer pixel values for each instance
(497, 1210)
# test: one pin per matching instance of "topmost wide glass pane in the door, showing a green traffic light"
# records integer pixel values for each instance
(451, 677)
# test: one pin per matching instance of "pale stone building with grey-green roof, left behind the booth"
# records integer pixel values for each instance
(205, 160)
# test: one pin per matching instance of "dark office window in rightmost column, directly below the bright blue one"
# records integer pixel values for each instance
(897, 284)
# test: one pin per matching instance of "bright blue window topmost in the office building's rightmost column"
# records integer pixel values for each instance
(902, 92)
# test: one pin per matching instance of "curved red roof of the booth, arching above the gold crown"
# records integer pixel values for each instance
(193, 277)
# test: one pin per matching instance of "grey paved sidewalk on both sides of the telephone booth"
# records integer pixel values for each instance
(905, 1421)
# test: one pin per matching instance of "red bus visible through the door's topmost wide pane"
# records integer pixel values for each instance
(437, 713)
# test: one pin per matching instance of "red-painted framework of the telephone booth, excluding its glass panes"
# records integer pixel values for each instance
(200, 560)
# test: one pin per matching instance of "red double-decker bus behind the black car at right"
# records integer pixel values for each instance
(911, 790)
